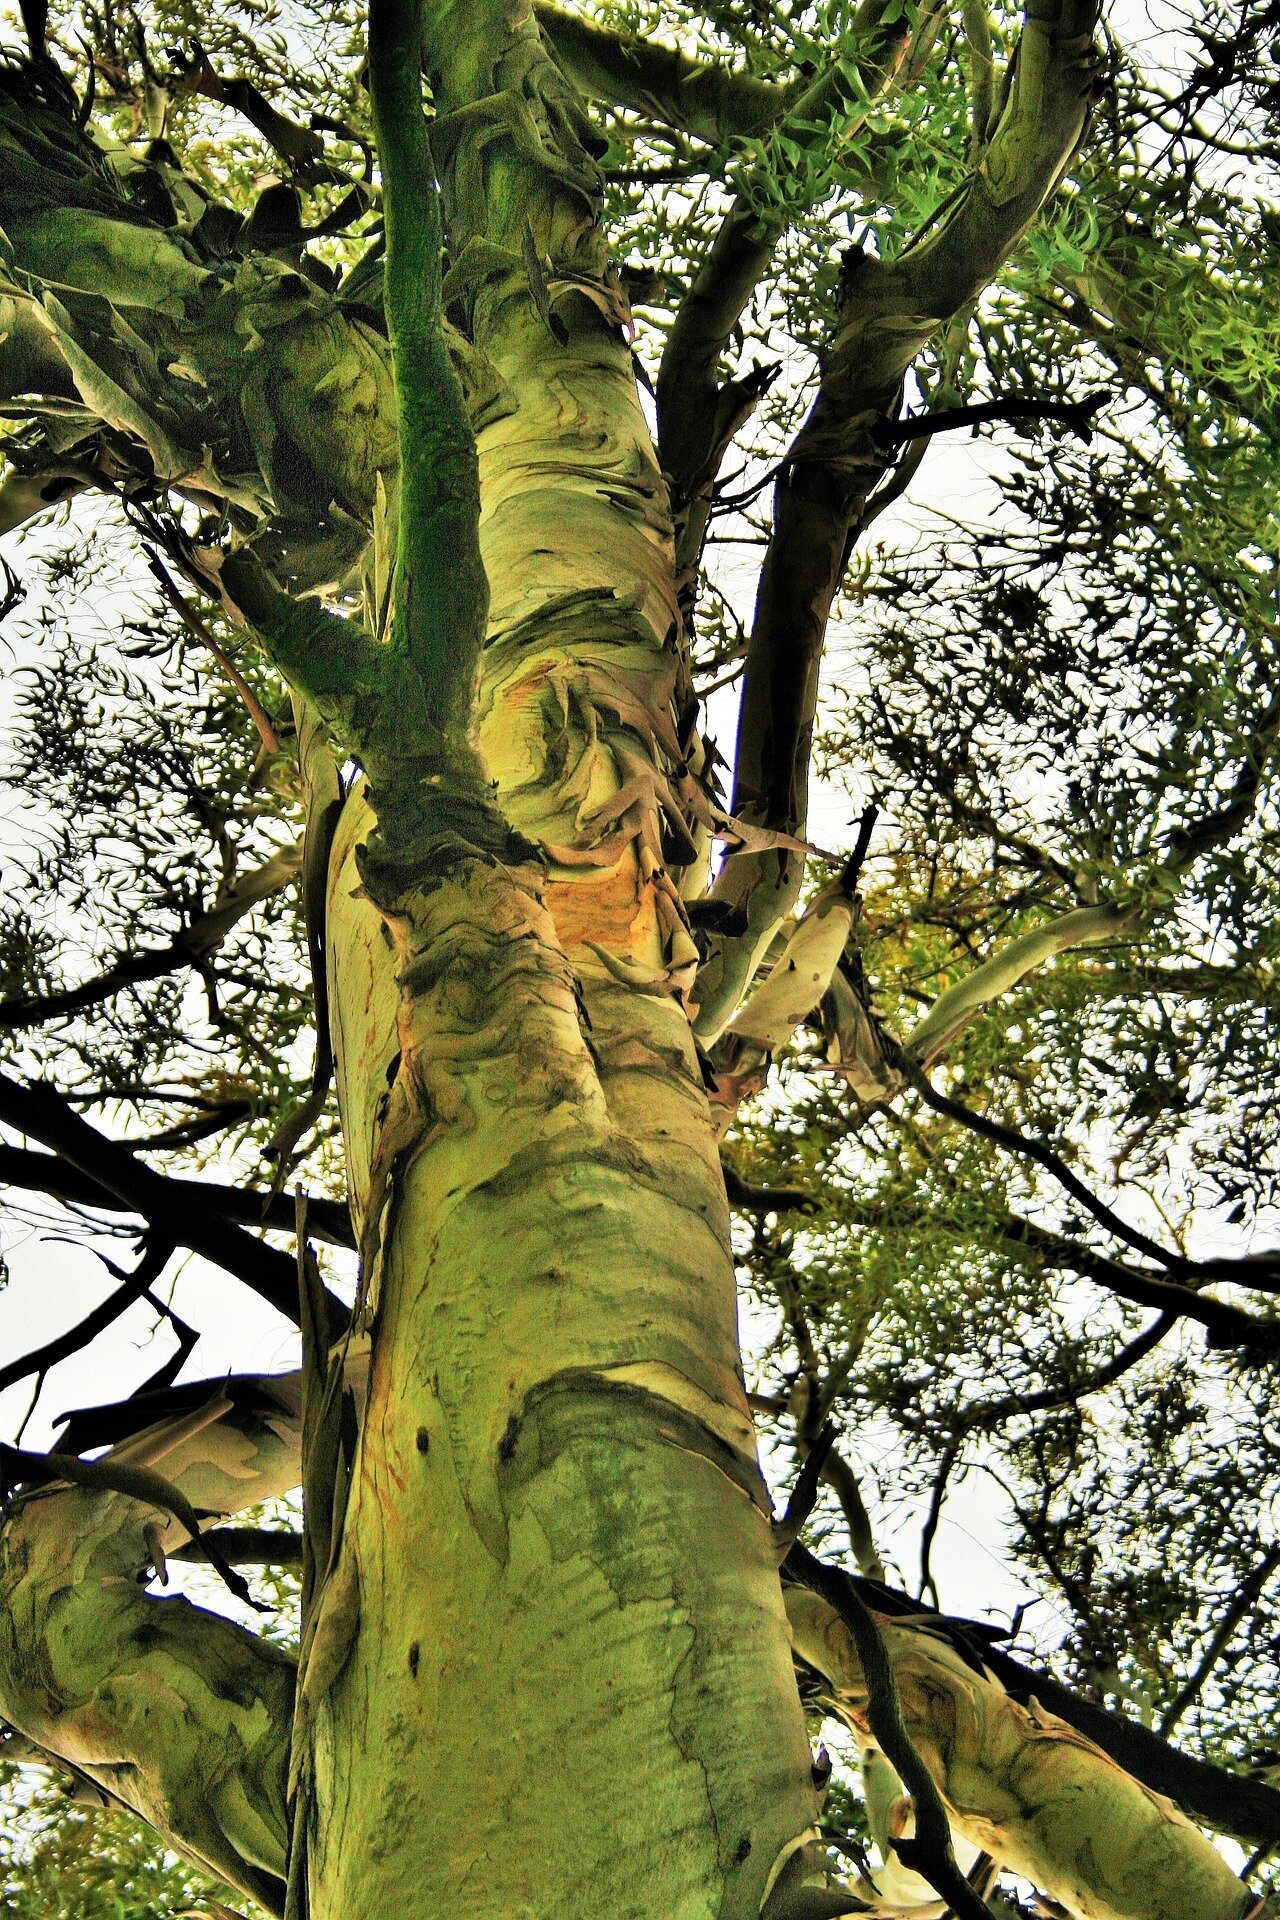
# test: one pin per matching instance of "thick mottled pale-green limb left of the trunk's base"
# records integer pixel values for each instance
(172, 1710)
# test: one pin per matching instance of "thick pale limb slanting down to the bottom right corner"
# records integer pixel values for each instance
(1024, 1787)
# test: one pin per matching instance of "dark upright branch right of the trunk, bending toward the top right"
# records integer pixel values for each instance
(888, 312)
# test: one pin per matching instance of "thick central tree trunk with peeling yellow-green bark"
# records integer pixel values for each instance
(550, 1668)
